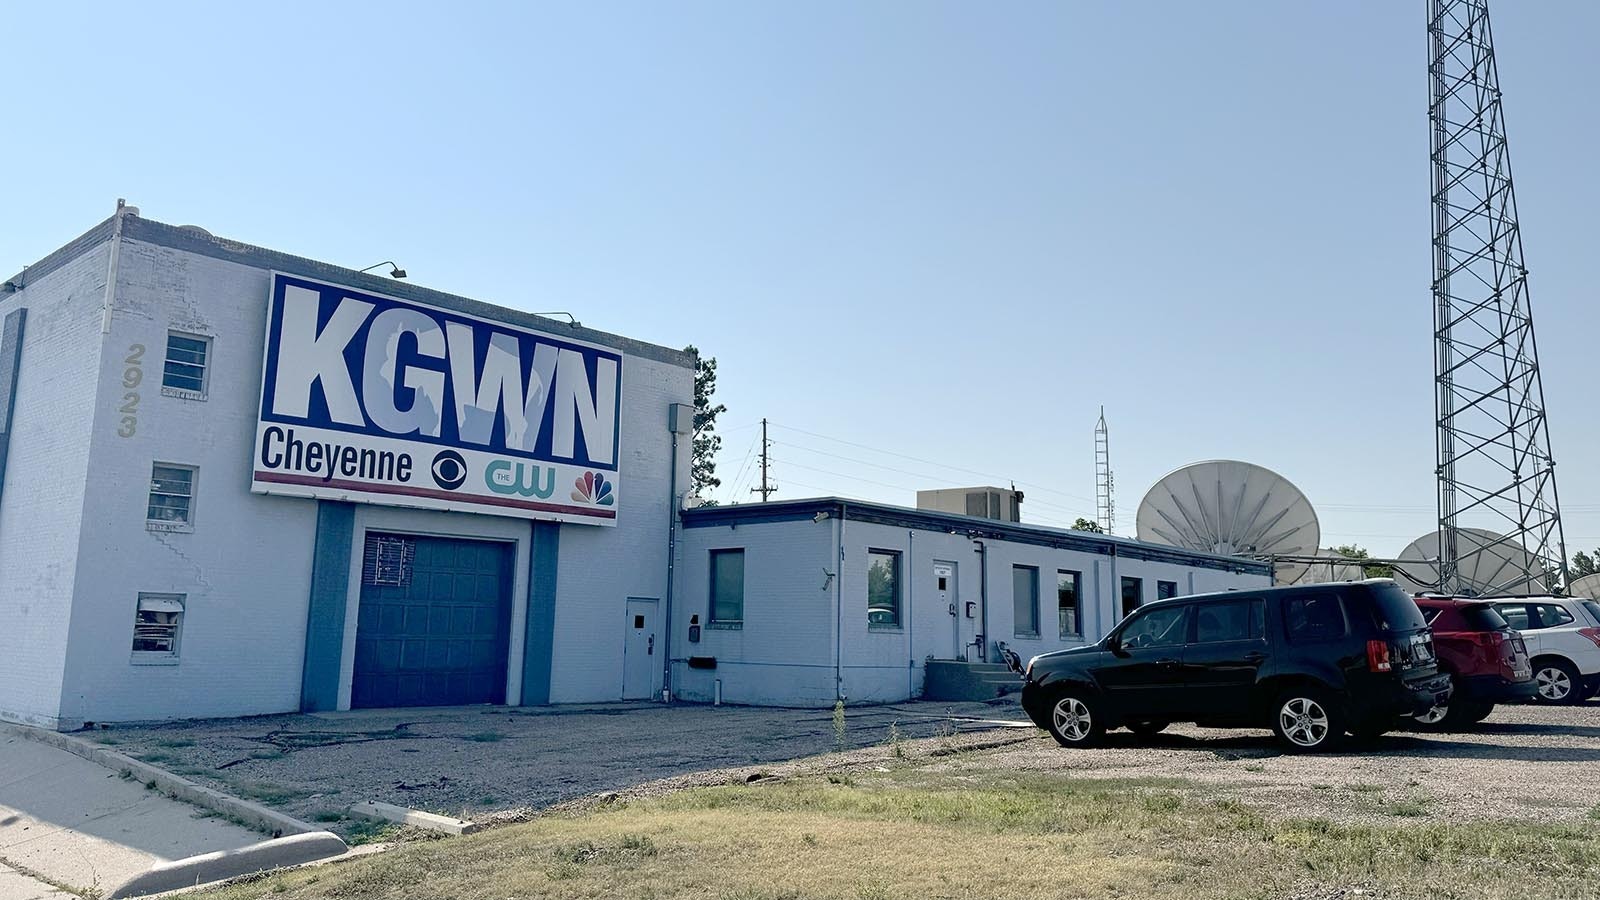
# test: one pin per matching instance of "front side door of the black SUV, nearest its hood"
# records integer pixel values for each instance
(1143, 678)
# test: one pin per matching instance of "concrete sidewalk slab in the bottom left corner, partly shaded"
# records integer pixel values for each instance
(86, 827)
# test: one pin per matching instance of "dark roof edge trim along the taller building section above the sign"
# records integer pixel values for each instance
(201, 243)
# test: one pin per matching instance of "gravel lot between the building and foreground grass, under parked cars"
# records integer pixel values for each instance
(1526, 763)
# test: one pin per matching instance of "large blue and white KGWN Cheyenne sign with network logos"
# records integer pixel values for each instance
(383, 401)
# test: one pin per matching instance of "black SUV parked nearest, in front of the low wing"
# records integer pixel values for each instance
(1310, 662)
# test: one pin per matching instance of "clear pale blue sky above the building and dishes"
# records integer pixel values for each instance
(927, 241)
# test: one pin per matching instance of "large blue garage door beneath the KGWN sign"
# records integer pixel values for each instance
(434, 625)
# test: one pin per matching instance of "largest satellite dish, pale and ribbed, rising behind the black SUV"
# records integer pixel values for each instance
(1231, 508)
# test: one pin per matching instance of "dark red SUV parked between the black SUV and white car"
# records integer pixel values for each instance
(1486, 659)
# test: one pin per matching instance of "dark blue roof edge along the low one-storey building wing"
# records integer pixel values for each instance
(972, 526)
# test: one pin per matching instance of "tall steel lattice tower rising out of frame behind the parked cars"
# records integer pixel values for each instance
(1495, 465)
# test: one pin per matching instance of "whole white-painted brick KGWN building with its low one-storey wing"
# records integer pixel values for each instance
(212, 504)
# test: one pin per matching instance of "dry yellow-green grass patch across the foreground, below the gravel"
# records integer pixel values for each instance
(889, 837)
